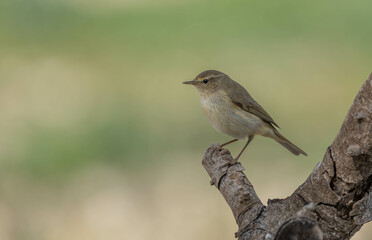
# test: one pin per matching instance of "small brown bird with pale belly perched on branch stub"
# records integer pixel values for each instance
(231, 110)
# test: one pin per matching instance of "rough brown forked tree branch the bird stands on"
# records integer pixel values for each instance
(339, 189)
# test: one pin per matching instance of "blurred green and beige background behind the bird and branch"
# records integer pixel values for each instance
(99, 138)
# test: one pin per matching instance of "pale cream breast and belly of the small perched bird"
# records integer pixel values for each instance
(230, 120)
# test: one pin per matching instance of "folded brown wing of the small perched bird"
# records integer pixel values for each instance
(241, 98)
